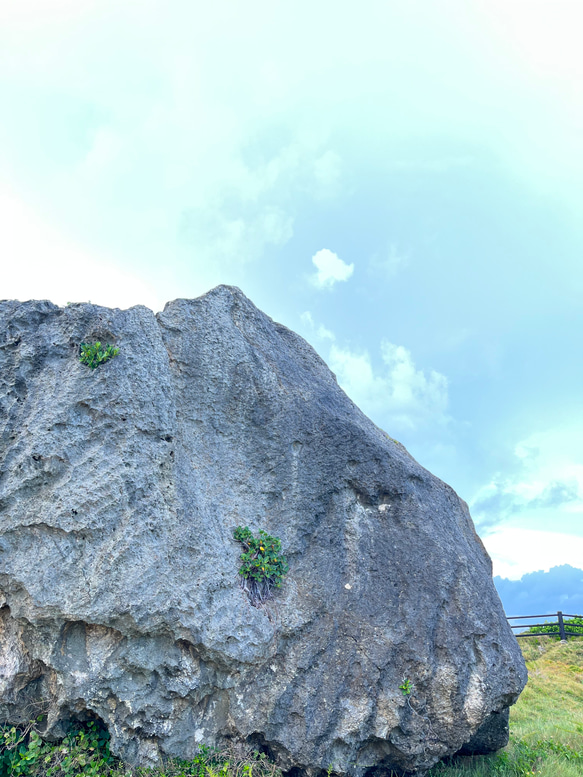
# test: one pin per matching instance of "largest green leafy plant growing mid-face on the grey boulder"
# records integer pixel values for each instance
(263, 565)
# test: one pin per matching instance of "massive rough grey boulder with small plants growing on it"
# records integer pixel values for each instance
(120, 489)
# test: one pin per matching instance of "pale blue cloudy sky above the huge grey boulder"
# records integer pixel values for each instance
(399, 182)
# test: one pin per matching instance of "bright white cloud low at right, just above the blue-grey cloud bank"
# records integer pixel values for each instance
(515, 551)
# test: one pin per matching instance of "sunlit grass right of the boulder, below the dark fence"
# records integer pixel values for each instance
(546, 724)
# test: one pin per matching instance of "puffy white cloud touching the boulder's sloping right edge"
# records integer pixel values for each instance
(400, 396)
